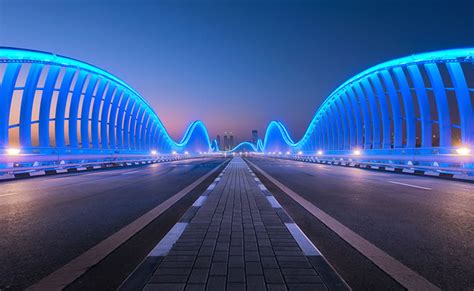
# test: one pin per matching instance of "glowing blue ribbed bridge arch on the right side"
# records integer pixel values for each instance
(417, 104)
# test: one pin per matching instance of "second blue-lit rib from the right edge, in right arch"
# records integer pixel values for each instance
(441, 104)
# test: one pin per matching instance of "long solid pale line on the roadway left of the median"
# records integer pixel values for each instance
(68, 273)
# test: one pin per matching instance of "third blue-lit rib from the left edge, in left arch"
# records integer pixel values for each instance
(45, 106)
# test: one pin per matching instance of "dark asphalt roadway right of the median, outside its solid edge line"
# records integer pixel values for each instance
(425, 223)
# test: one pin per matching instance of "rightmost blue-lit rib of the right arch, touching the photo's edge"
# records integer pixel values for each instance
(464, 102)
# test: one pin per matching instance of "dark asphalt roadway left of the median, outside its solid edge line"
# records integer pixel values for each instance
(46, 222)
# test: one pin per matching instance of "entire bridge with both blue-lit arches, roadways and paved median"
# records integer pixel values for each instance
(377, 194)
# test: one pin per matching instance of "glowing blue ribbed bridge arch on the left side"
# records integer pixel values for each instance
(54, 104)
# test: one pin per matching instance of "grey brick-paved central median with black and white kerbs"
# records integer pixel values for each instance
(236, 237)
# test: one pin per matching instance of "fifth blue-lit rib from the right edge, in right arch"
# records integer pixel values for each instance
(396, 112)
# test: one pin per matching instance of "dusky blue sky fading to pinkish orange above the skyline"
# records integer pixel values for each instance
(235, 65)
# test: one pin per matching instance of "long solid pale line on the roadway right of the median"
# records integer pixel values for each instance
(408, 278)
